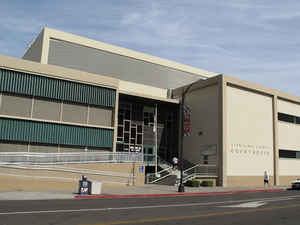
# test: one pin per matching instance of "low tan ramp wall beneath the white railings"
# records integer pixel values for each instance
(38, 180)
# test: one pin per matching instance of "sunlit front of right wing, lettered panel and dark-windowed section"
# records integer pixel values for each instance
(252, 132)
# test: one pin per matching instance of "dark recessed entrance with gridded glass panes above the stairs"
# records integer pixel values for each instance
(135, 126)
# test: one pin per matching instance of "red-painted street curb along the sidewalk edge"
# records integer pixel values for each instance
(104, 196)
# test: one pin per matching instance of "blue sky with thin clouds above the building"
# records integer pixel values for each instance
(254, 40)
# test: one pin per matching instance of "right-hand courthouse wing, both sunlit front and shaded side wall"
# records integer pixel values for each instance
(252, 135)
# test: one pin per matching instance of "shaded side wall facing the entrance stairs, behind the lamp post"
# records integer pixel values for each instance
(204, 122)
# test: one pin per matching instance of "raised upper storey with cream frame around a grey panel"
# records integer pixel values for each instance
(72, 51)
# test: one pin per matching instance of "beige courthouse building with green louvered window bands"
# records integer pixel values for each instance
(73, 94)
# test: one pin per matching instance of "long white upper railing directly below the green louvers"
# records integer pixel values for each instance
(72, 157)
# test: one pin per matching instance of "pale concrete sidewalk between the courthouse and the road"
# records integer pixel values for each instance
(149, 190)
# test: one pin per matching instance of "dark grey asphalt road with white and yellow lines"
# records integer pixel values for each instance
(276, 208)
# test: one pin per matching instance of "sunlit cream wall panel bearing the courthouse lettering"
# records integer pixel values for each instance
(249, 133)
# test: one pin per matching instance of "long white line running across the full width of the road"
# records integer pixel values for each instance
(284, 198)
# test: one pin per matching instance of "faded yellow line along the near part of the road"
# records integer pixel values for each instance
(163, 219)
